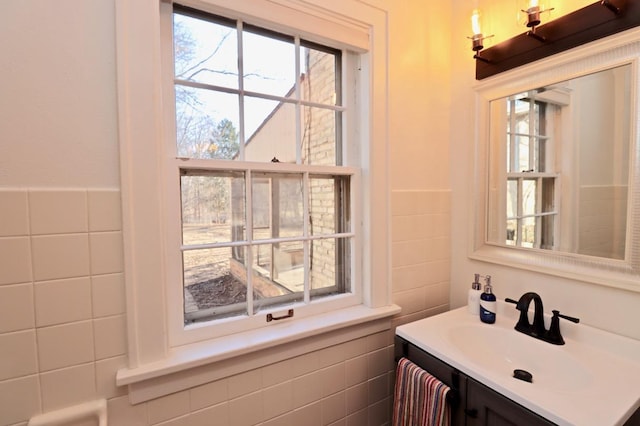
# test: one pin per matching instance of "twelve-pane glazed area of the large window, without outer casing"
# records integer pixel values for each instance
(256, 237)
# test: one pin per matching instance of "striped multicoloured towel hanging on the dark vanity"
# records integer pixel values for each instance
(419, 398)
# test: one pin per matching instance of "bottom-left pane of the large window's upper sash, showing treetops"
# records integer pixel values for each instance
(207, 123)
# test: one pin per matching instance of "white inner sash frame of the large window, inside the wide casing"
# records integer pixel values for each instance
(180, 334)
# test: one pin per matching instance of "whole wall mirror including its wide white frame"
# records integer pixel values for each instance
(557, 165)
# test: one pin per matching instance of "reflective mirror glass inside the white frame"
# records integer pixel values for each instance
(559, 166)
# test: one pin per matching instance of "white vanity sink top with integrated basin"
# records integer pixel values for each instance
(599, 369)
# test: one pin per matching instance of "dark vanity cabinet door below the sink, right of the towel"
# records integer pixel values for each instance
(486, 407)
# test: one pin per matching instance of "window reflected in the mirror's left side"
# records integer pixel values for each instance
(531, 206)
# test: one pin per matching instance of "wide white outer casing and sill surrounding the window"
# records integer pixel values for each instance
(155, 358)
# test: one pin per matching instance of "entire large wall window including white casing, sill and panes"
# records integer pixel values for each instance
(343, 253)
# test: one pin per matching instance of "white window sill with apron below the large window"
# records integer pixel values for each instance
(198, 363)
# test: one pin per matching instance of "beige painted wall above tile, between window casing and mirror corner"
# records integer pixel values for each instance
(419, 97)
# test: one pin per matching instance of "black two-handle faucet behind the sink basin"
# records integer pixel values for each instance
(537, 329)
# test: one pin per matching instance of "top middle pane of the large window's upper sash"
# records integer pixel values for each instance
(269, 64)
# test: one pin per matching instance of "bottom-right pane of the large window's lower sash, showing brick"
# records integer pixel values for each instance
(330, 265)
